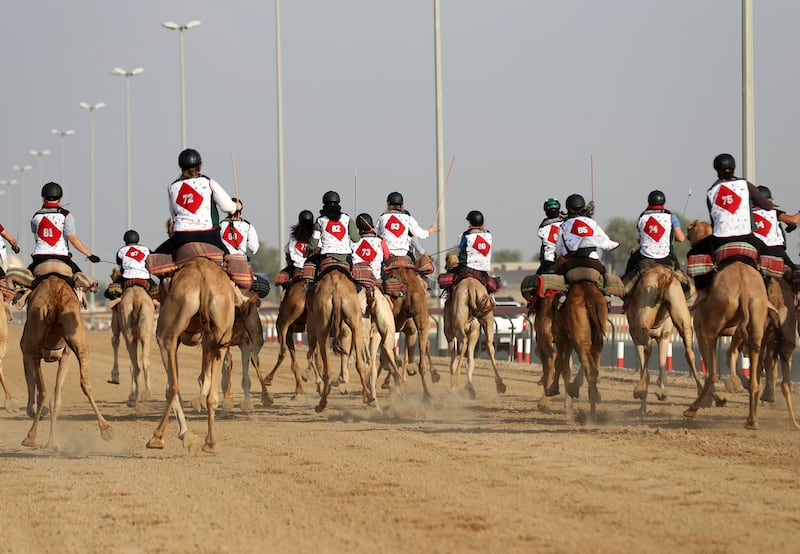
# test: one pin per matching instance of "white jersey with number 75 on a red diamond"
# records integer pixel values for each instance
(730, 210)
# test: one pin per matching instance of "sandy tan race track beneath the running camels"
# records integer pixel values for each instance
(494, 474)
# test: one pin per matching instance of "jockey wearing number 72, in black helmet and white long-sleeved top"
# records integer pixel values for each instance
(195, 202)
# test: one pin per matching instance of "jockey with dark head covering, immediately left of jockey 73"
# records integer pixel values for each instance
(334, 232)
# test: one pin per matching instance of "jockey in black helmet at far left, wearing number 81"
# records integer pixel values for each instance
(53, 229)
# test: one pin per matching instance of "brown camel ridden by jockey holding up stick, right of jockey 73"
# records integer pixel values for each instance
(413, 306)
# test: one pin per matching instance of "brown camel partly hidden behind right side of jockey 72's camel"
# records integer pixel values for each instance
(248, 335)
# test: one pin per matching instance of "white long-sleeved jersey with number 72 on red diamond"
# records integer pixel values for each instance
(195, 204)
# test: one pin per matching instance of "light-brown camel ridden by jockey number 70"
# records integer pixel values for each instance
(468, 309)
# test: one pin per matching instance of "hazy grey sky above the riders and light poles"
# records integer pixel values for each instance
(651, 90)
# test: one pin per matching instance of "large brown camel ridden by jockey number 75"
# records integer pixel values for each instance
(736, 302)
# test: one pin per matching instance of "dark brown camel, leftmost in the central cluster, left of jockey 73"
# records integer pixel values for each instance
(292, 317)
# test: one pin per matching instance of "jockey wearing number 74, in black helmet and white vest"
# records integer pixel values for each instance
(657, 227)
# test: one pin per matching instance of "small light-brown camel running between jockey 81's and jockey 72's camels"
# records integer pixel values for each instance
(136, 316)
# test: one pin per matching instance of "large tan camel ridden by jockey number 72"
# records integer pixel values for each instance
(201, 301)
